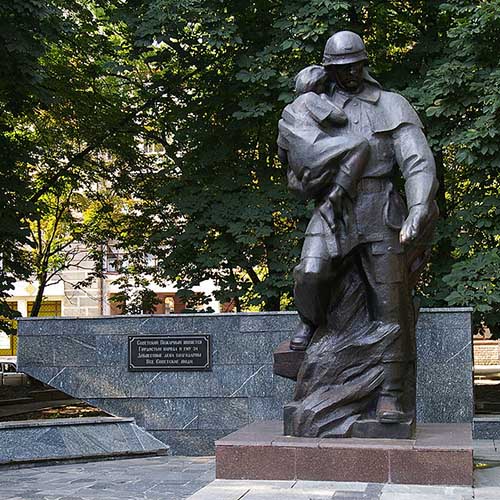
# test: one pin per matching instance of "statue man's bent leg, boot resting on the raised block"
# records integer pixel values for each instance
(313, 279)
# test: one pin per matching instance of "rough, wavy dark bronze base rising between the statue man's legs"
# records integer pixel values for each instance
(344, 372)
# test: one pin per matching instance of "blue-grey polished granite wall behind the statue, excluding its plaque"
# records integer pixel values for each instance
(88, 358)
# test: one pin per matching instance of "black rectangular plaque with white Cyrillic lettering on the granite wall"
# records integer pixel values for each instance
(169, 352)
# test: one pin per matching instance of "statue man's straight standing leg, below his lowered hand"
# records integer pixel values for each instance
(389, 300)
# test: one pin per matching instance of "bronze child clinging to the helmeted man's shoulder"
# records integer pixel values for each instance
(315, 153)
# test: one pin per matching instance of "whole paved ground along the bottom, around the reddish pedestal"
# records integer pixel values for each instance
(176, 478)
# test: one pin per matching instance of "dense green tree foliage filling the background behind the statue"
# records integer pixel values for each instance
(207, 81)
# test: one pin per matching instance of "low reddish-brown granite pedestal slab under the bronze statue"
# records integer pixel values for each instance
(440, 454)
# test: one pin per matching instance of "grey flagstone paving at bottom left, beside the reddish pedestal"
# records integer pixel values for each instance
(155, 478)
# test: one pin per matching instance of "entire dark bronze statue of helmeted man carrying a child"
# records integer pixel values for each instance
(344, 139)
